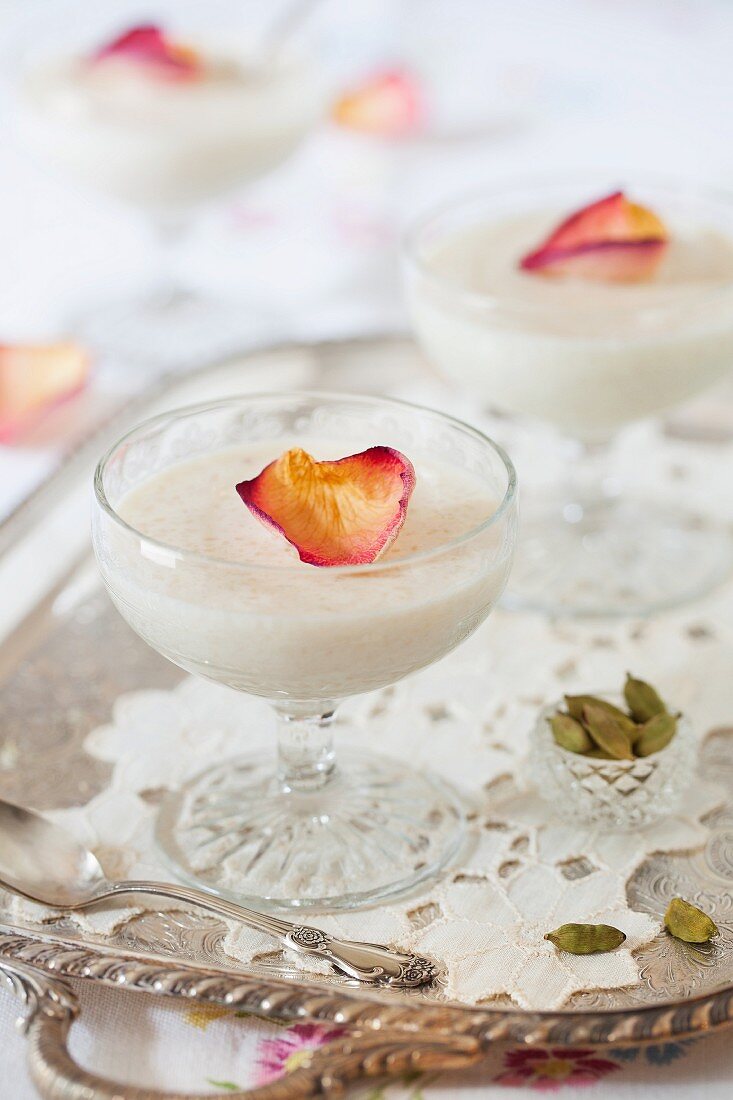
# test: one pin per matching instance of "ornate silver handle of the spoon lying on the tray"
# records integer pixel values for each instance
(369, 963)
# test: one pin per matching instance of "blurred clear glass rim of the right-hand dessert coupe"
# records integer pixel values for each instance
(479, 197)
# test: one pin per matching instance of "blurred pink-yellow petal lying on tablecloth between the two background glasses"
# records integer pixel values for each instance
(388, 105)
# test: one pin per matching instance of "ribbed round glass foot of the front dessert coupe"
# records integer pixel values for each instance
(375, 831)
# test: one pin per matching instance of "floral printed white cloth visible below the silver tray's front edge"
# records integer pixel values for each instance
(157, 1043)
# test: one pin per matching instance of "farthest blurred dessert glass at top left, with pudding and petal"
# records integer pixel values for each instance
(168, 125)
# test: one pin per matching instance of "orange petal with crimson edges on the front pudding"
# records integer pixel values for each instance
(342, 513)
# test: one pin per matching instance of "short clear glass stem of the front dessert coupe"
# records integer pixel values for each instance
(307, 761)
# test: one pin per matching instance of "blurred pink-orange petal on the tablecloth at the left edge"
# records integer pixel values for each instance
(36, 379)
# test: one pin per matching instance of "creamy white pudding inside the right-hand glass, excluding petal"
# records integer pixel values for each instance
(586, 356)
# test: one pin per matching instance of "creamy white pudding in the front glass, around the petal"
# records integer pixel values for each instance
(261, 621)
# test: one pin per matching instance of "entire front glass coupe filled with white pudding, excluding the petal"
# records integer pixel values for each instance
(231, 601)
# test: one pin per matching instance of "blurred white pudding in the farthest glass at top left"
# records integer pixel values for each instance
(126, 129)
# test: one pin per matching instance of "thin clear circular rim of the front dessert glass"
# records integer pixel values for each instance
(508, 501)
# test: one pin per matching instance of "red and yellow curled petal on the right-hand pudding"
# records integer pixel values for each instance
(612, 240)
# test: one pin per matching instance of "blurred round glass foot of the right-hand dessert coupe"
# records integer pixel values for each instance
(626, 558)
